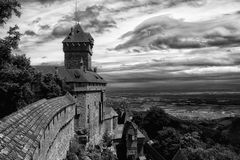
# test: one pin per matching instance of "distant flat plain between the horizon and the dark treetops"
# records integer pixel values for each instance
(189, 105)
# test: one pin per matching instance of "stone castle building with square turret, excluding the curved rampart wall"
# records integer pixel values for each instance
(85, 84)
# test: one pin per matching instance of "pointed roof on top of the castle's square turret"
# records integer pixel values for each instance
(78, 35)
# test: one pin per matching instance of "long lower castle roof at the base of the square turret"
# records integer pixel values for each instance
(72, 75)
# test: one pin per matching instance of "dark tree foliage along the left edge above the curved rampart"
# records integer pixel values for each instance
(20, 84)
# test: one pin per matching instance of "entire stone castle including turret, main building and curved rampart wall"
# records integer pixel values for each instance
(43, 130)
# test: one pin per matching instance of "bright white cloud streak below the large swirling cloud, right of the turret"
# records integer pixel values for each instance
(209, 59)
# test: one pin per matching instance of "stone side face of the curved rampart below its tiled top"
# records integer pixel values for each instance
(55, 142)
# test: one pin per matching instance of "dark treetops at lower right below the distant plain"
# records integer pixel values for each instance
(198, 141)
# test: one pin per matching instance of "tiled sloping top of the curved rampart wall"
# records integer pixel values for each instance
(21, 132)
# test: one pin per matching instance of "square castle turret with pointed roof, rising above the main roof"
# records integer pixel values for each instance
(77, 47)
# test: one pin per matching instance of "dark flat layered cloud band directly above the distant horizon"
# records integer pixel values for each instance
(210, 80)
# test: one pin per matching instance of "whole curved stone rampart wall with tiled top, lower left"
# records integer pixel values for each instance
(40, 131)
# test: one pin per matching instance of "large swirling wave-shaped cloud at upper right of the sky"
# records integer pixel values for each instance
(164, 32)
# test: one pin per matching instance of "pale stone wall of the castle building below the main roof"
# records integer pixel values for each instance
(88, 110)
